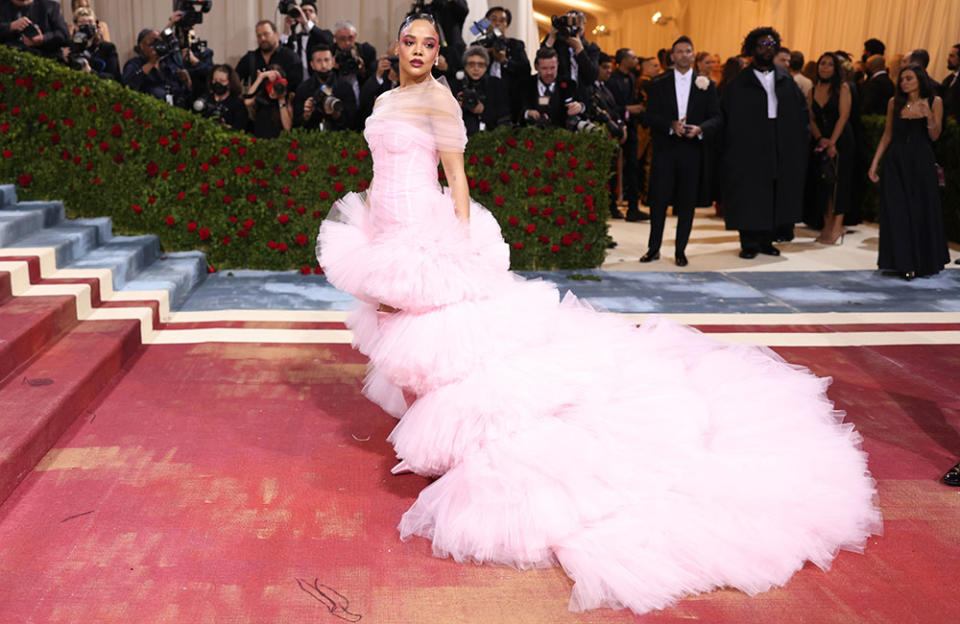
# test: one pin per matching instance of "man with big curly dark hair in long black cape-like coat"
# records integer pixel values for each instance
(766, 142)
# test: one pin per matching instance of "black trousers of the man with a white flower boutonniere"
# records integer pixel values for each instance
(675, 174)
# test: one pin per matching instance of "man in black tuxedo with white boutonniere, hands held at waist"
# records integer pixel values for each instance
(681, 108)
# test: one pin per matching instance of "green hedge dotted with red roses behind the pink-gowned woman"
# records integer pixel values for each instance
(107, 151)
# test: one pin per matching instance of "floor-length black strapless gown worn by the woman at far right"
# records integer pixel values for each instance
(911, 224)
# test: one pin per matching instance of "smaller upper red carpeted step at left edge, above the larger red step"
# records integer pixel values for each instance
(28, 325)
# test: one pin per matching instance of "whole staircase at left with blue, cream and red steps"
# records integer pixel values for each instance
(75, 303)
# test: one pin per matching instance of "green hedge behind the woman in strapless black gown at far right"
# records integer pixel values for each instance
(947, 149)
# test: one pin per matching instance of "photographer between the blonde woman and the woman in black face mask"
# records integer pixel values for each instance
(153, 71)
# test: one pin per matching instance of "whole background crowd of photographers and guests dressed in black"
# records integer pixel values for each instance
(691, 129)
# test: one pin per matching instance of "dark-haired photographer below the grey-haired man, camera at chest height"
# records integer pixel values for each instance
(324, 101)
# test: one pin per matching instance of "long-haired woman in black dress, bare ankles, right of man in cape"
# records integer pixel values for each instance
(830, 104)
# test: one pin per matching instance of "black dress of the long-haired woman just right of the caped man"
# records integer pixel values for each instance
(819, 192)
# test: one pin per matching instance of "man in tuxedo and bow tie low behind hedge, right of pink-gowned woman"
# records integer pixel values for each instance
(549, 100)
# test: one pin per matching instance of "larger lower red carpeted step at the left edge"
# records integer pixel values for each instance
(42, 400)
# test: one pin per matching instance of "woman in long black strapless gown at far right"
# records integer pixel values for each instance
(912, 239)
